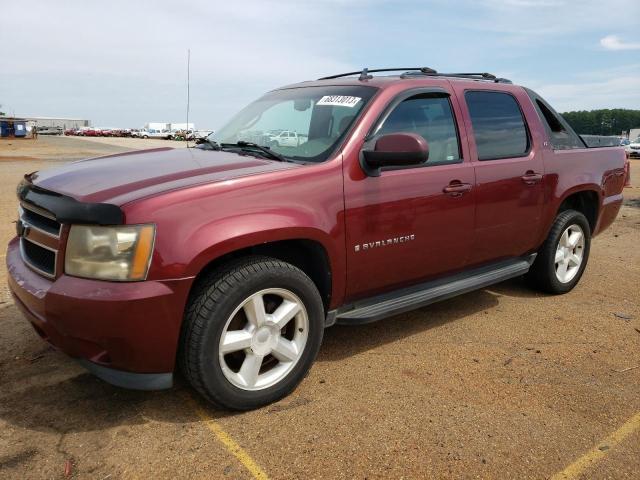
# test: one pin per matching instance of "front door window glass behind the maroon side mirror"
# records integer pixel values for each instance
(430, 117)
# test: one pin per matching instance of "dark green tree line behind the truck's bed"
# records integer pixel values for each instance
(603, 122)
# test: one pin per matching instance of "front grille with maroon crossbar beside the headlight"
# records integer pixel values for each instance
(39, 241)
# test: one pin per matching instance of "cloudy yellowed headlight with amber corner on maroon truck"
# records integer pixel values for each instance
(121, 253)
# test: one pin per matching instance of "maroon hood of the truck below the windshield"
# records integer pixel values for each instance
(121, 178)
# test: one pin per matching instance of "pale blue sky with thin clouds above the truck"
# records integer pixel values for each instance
(124, 63)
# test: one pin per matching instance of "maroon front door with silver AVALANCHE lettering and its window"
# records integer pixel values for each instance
(408, 225)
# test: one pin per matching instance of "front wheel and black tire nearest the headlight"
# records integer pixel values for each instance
(219, 305)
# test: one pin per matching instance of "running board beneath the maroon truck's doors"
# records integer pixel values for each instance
(404, 300)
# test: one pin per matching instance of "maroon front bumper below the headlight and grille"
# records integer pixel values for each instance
(125, 333)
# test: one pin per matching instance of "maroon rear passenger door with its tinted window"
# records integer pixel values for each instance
(509, 172)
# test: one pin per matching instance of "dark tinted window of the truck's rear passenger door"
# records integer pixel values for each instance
(498, 125)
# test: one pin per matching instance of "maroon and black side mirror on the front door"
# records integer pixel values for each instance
(394, 150)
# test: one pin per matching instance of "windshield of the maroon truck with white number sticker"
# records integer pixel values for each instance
(299, 123)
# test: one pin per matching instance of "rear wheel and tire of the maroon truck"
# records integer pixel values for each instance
(569, 242)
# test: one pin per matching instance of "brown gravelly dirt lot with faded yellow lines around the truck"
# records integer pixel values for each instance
(500, 383)
